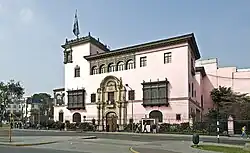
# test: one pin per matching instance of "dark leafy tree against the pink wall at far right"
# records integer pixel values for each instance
(229, 103)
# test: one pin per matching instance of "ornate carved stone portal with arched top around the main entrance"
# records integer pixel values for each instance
(112, 106)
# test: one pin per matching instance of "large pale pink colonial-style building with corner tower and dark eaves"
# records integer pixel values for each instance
(161, 79)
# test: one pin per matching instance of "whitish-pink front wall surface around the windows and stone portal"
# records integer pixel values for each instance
(176, 72)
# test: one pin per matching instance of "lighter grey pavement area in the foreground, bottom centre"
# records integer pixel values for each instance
(121, 146)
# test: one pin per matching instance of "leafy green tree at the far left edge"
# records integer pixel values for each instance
(11, 91)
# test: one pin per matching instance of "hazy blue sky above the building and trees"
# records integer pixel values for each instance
(32, 31)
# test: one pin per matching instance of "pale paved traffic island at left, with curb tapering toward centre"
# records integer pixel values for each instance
(40, 140)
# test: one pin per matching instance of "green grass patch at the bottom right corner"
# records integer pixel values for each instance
(221, 149)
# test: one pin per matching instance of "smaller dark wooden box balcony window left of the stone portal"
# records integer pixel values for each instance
(76, 99)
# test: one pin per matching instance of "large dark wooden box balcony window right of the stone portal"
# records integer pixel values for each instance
(155, 93)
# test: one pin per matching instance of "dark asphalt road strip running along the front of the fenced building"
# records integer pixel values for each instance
(144, 138)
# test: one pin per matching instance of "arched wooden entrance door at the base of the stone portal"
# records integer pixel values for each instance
(111, 122)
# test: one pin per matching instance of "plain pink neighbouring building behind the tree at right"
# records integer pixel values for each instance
(215, 76)
